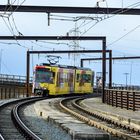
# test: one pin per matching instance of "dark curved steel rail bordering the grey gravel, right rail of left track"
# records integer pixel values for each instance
(19, 123)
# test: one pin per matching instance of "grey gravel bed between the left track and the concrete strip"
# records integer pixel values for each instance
(46, 130)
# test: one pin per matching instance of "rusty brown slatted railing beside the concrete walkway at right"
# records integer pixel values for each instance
(123, 98)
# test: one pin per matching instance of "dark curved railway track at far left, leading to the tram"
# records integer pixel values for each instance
(11, 124)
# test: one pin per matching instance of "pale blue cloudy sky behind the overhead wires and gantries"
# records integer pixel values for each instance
(122, 34)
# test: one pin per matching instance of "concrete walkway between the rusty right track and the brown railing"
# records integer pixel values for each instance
(124, 116)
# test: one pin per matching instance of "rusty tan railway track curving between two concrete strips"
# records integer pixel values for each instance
(122, 131)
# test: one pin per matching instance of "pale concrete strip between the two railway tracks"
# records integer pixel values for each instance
(76, 129)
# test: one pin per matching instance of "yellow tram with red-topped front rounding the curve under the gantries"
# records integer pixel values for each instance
(54, 80)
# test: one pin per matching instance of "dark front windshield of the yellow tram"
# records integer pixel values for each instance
(44, 76)
